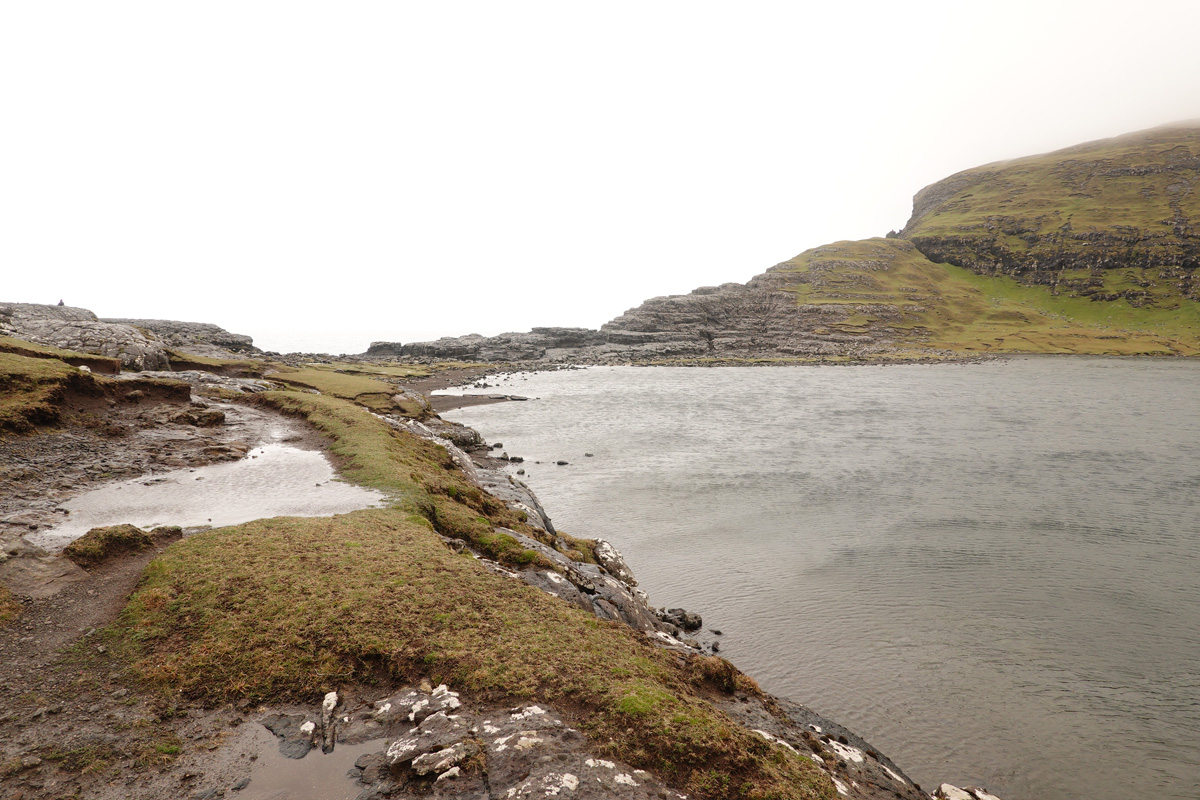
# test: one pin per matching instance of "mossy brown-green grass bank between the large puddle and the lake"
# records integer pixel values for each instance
(290, 609)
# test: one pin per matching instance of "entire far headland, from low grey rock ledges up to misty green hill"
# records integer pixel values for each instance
(1091, 250)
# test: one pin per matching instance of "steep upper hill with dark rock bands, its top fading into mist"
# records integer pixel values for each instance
(1111, 220)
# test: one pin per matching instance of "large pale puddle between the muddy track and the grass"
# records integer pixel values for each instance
(275, 480)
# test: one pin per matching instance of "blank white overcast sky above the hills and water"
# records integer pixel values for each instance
(482, 167)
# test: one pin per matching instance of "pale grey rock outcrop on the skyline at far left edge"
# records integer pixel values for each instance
(79, 329)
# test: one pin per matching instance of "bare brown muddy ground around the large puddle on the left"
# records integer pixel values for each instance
(71, 725)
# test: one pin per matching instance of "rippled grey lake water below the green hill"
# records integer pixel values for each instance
(991, 572)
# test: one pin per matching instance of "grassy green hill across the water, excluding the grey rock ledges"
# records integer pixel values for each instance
(1089, 250)
